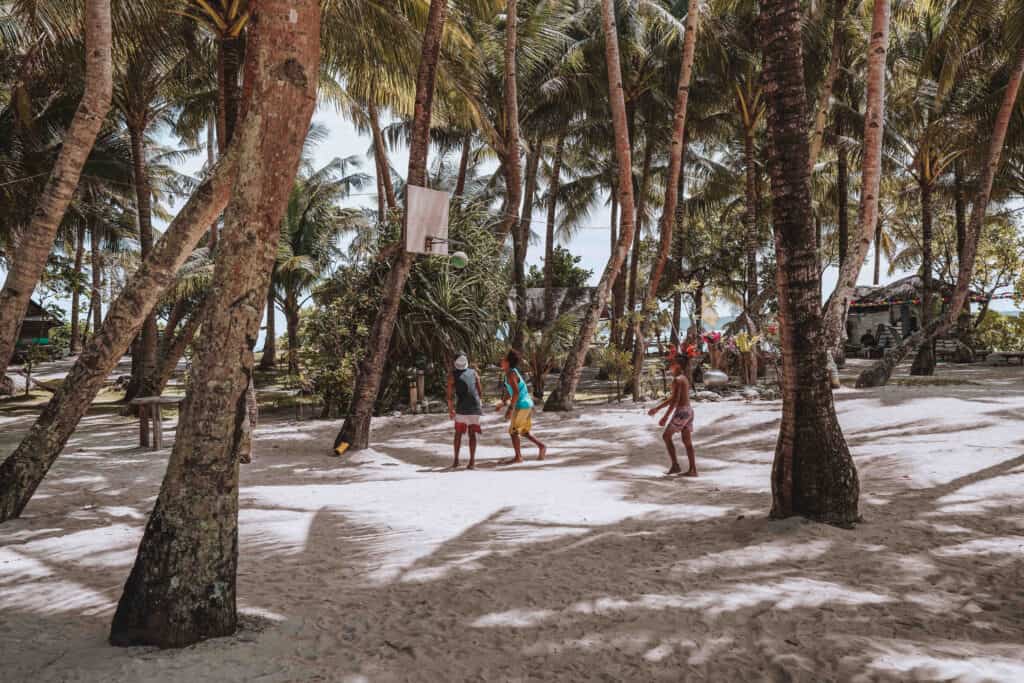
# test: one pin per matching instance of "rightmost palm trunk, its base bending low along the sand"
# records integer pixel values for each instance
(880, 373)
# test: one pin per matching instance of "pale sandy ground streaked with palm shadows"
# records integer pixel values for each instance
(383, 567)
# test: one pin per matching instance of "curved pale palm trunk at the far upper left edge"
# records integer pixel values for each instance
(35, 243)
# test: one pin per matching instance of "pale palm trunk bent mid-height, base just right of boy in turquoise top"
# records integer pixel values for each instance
(564, 398)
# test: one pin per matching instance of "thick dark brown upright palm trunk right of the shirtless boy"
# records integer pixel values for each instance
(814, 475)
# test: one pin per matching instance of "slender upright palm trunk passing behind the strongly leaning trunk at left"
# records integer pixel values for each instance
(144, 366)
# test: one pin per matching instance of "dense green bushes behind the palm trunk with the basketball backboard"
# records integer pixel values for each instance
(443, 310)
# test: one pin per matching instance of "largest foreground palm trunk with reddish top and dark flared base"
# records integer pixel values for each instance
(182, 588)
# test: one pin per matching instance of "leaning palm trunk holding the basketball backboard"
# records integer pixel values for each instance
(356, 431)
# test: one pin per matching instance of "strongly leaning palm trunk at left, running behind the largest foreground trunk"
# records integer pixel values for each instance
(25, 469)
